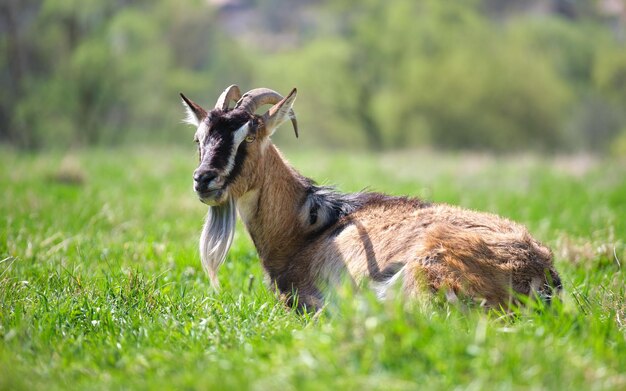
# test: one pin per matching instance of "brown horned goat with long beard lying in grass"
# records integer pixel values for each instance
(307, 236)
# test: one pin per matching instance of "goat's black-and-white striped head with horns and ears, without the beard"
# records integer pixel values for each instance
(231, 140)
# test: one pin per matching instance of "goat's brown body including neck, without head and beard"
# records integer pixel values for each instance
(309, 236)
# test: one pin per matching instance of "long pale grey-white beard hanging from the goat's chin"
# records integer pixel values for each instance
(217, 237)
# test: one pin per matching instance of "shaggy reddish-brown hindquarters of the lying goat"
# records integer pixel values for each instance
(489, 266)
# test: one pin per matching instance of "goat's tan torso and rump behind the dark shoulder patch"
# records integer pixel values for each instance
(434, 247)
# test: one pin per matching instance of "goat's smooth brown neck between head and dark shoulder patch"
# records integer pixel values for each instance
(270, 210)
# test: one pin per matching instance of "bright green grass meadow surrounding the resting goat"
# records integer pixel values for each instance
(101, 286)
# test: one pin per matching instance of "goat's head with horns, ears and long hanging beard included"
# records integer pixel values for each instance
(231, 143)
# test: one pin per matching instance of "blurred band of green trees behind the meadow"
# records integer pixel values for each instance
(501, 75)
